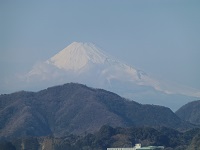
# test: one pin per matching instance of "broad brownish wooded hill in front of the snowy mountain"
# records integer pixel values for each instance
(78, 109)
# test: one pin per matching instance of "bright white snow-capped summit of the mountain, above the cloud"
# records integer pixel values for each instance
(77, 55)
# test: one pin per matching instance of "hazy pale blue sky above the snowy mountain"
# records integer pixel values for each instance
(161, 37)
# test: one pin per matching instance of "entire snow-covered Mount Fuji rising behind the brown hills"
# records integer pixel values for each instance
(87, 64)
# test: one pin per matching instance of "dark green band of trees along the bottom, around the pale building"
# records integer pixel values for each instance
(110, 137)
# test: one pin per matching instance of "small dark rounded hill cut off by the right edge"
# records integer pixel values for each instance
(190, 112)
